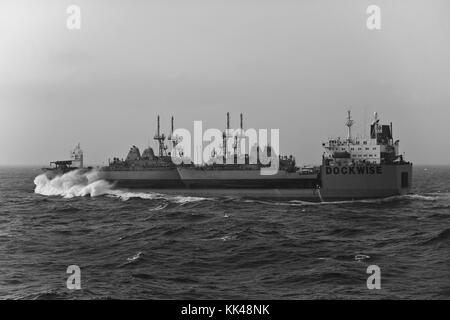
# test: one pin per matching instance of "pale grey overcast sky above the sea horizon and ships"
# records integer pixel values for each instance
(293, 65)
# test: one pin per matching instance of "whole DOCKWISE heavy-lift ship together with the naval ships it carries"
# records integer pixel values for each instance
(352, 168)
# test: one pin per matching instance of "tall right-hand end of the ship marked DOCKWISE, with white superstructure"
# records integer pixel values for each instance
(355, 168)
